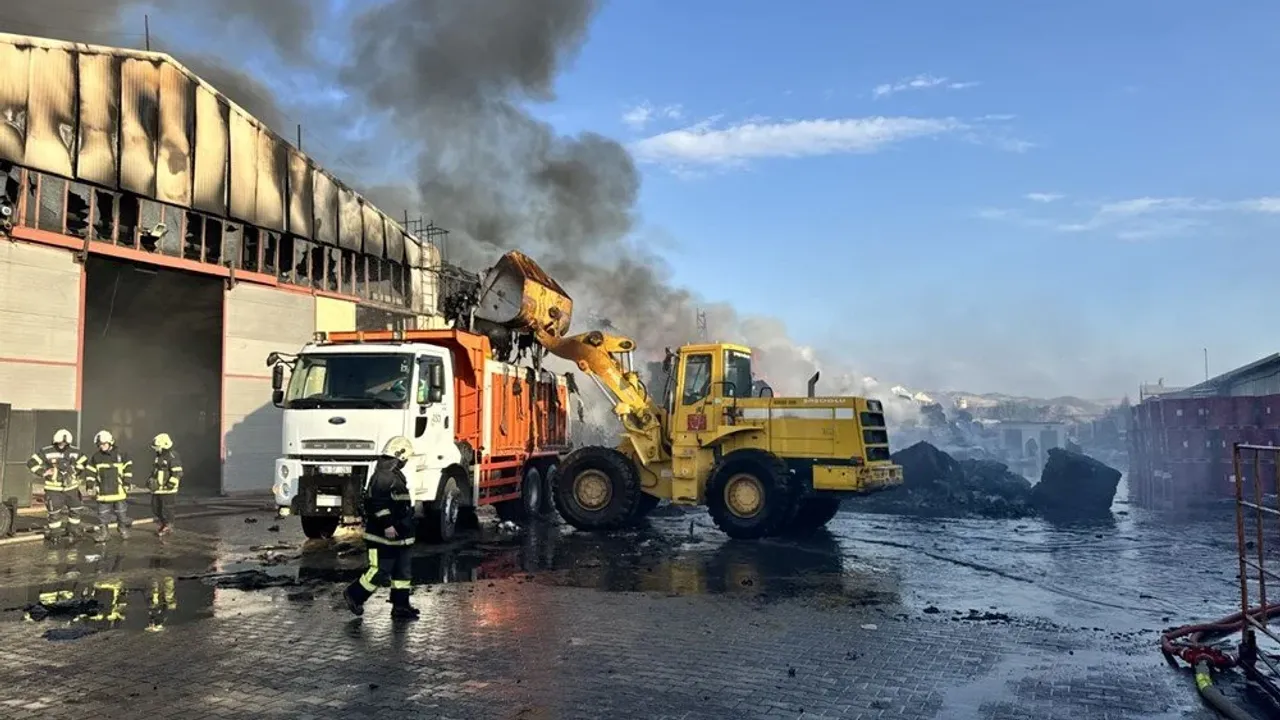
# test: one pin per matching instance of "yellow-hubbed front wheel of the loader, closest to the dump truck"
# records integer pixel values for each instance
(597, 489)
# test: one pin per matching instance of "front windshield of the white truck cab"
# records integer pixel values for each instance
(350, 381)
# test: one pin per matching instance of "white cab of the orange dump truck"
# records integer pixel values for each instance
(342, 404)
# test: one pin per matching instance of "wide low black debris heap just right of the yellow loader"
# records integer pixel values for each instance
(939, 486)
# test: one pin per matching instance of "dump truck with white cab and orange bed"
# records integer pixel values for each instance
(484, 432)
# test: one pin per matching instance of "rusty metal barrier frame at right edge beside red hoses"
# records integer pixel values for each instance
(1250, 463)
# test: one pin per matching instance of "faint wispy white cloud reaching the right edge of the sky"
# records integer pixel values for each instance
(1137, 218)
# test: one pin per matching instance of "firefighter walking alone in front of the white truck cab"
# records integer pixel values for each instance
(390, 528)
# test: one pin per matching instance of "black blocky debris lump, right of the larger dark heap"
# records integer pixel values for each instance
(1075, 486)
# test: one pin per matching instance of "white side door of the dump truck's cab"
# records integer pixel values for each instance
(432, 417)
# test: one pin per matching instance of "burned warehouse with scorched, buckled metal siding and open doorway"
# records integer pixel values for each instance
(157, 244)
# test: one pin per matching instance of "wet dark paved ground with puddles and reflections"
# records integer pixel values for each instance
(881, 617)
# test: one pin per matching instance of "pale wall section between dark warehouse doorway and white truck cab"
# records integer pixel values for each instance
(259, 321)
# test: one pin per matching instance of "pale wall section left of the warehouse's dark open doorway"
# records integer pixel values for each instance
(40, 304)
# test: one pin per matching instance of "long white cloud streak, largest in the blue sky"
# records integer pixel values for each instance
(706, 144)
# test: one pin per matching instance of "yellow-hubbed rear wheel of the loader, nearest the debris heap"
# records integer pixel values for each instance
(751, 495)
